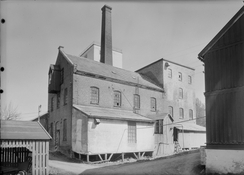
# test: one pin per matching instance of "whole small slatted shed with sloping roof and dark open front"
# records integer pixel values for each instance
(24, 146)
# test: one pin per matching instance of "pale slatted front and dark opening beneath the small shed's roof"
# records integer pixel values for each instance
(15, 152)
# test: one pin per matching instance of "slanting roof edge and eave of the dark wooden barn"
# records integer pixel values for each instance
(233, 20)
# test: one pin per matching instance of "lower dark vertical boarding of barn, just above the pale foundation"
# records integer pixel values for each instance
(225, 117)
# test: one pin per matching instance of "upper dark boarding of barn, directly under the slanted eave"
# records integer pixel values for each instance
(224, 63)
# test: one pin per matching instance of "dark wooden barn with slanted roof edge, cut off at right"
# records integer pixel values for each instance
(223, 58)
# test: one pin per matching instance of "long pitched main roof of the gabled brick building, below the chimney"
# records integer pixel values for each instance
(90, 67)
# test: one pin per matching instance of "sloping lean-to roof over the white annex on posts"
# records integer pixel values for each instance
(108, 113)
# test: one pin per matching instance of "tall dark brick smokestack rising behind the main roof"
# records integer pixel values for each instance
(106, 37)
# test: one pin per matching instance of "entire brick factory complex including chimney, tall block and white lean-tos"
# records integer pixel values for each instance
(98, 110)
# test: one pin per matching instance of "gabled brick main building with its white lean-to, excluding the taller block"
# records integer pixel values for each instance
(96, 108)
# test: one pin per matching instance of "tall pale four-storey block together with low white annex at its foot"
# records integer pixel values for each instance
(179, 97)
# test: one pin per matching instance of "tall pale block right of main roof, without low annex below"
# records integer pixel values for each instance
(177, 81)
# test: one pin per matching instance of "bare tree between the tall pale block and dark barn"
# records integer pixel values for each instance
(200, 113)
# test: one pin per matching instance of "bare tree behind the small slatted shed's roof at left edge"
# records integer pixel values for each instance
(9, 112)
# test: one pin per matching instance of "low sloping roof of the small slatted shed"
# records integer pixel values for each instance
(23, 130)
